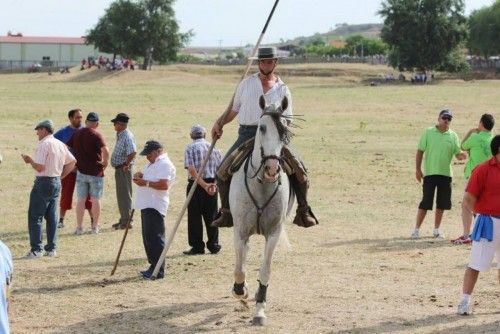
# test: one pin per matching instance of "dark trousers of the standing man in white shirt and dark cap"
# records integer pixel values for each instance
(153, 236)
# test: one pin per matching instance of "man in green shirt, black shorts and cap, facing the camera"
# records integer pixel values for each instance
(437, 146)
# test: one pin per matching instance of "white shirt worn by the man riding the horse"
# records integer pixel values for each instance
(246, 99)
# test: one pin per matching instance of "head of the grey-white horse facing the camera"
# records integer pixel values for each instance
(272, 134)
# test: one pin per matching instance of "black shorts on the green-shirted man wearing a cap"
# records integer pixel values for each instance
(443, 198)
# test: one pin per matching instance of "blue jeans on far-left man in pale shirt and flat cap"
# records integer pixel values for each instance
(44, 199)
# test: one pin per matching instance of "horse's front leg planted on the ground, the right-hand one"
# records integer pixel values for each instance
(259, 318)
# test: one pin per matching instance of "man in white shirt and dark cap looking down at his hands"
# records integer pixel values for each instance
(152, 198)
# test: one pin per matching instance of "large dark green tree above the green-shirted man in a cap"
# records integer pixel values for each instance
(422, 34)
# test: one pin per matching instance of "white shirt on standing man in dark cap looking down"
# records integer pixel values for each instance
(149, 198)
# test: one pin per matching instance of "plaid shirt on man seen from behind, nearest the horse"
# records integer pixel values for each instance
(196, 152)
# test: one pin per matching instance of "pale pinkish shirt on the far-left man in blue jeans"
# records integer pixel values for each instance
(53, 154)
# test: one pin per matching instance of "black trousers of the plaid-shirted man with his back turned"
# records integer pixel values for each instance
(202, 205)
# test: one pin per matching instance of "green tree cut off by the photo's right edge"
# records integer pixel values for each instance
(484, 30)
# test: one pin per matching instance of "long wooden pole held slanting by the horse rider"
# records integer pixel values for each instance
(214, 140)
